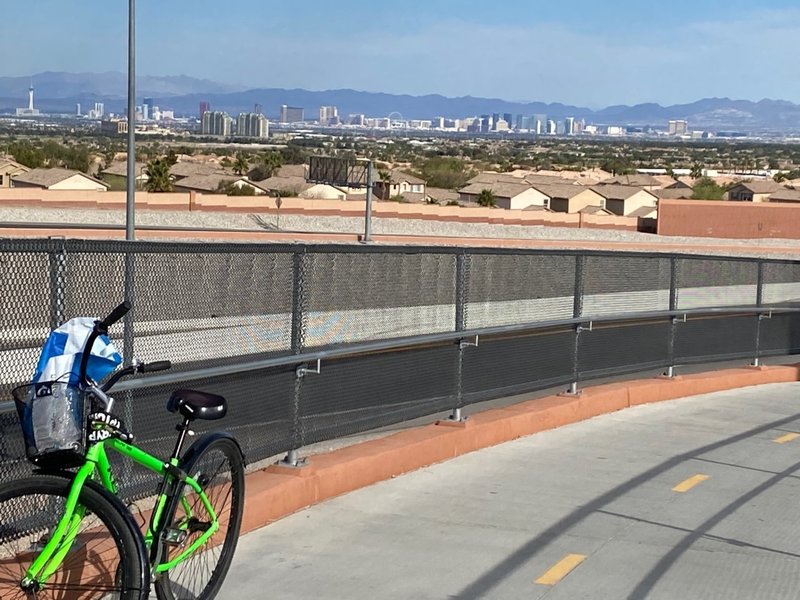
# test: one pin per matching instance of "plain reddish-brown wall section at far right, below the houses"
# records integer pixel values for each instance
(743, 220)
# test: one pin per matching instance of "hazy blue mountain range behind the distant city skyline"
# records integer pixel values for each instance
(57, 92)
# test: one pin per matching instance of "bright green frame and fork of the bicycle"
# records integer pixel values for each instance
(98, 467)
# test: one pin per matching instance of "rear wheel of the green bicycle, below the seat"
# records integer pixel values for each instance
(216, 463)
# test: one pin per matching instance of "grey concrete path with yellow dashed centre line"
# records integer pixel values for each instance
(694, 498)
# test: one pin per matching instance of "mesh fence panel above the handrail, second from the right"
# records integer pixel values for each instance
(712, 282)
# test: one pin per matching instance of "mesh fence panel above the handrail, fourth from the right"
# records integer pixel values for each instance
(508, 289)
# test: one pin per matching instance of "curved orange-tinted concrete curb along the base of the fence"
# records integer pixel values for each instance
(279, 491)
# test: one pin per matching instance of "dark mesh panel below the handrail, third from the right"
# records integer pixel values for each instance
(623, 348)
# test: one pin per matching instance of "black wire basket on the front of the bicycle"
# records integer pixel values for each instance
(53, 419)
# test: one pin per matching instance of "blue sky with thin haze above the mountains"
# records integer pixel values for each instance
(587, 53)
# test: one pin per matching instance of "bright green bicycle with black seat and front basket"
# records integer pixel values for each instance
(66, 535)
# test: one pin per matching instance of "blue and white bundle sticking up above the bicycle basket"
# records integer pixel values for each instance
(62, 352)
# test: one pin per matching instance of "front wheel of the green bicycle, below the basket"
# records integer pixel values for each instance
(107, 559)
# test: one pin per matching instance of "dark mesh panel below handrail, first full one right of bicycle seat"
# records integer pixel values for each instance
(364, 392)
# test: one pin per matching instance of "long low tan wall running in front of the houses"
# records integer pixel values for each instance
(34, 198)
